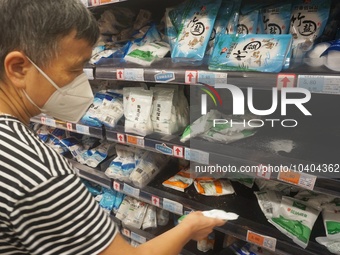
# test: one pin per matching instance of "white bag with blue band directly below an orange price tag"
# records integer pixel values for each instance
(126, 161)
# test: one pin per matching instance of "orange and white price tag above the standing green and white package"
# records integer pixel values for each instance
(300, 179)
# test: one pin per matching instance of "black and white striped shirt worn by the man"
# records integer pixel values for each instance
(44, 207)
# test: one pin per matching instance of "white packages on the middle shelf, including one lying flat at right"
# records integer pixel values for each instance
(164, 109)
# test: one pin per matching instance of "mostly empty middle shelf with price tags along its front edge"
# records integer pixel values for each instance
(308, 152)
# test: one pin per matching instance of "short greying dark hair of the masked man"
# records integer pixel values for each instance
(35, 27)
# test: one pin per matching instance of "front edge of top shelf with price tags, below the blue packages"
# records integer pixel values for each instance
(317, 80)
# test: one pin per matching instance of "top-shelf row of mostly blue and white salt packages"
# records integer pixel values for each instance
(225, 35)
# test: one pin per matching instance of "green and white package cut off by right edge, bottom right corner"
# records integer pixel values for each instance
(331, 219)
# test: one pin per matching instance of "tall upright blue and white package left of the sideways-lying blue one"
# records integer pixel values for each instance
(193, 37)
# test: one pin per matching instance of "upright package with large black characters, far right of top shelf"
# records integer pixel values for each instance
(308, 20)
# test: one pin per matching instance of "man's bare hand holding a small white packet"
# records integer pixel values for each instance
(200, 225)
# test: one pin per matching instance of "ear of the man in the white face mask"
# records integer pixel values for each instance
(16, 67)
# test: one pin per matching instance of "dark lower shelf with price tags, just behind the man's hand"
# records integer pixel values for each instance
(250, 220)
